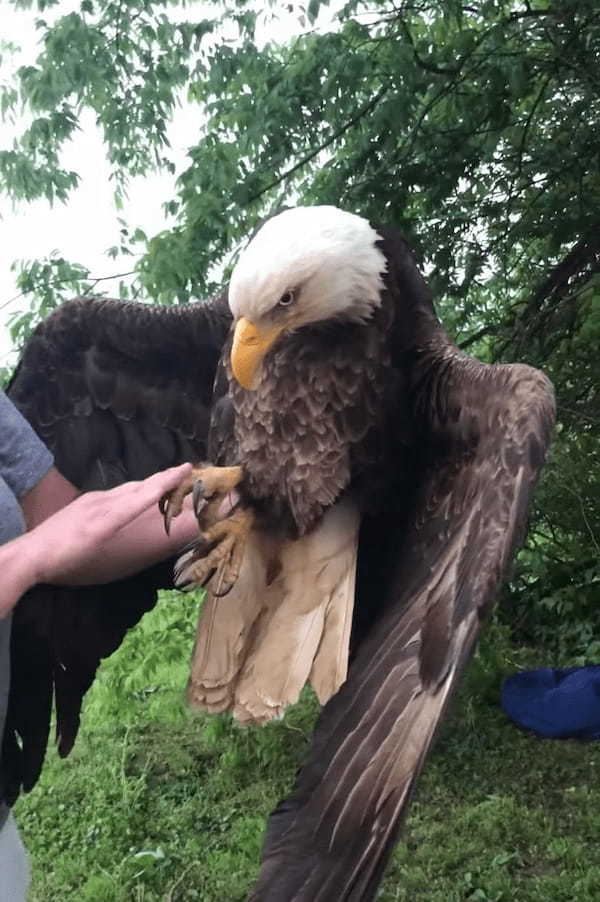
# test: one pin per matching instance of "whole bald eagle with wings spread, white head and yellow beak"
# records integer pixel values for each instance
(378, 483)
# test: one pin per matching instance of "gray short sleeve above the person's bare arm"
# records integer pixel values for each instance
(24, 458)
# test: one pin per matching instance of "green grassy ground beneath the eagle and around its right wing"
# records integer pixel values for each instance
(155, 804)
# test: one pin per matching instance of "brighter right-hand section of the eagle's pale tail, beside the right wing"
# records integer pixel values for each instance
(304, 634)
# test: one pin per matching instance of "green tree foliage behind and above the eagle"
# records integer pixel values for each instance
(474, 127)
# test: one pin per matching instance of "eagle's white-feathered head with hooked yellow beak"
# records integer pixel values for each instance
(304, 266)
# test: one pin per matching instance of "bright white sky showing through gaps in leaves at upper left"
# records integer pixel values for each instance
(83, 229)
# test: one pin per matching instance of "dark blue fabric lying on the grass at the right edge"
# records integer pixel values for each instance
(555, 703)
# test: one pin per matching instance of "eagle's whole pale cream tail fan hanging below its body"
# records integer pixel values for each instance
(257, 647)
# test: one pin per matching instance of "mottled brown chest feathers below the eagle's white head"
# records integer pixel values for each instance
(315, 426)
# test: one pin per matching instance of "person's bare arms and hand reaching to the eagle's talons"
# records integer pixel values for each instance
(96, 538)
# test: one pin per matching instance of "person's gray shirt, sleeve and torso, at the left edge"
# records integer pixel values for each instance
(24, 459)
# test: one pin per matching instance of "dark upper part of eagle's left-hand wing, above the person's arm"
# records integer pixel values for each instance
(118, 390)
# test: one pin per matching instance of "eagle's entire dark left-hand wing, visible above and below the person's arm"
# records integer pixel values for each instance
(117, 391)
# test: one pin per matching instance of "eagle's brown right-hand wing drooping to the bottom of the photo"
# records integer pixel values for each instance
(430, 566)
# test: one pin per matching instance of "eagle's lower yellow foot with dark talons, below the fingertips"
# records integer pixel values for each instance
(218, 555)
